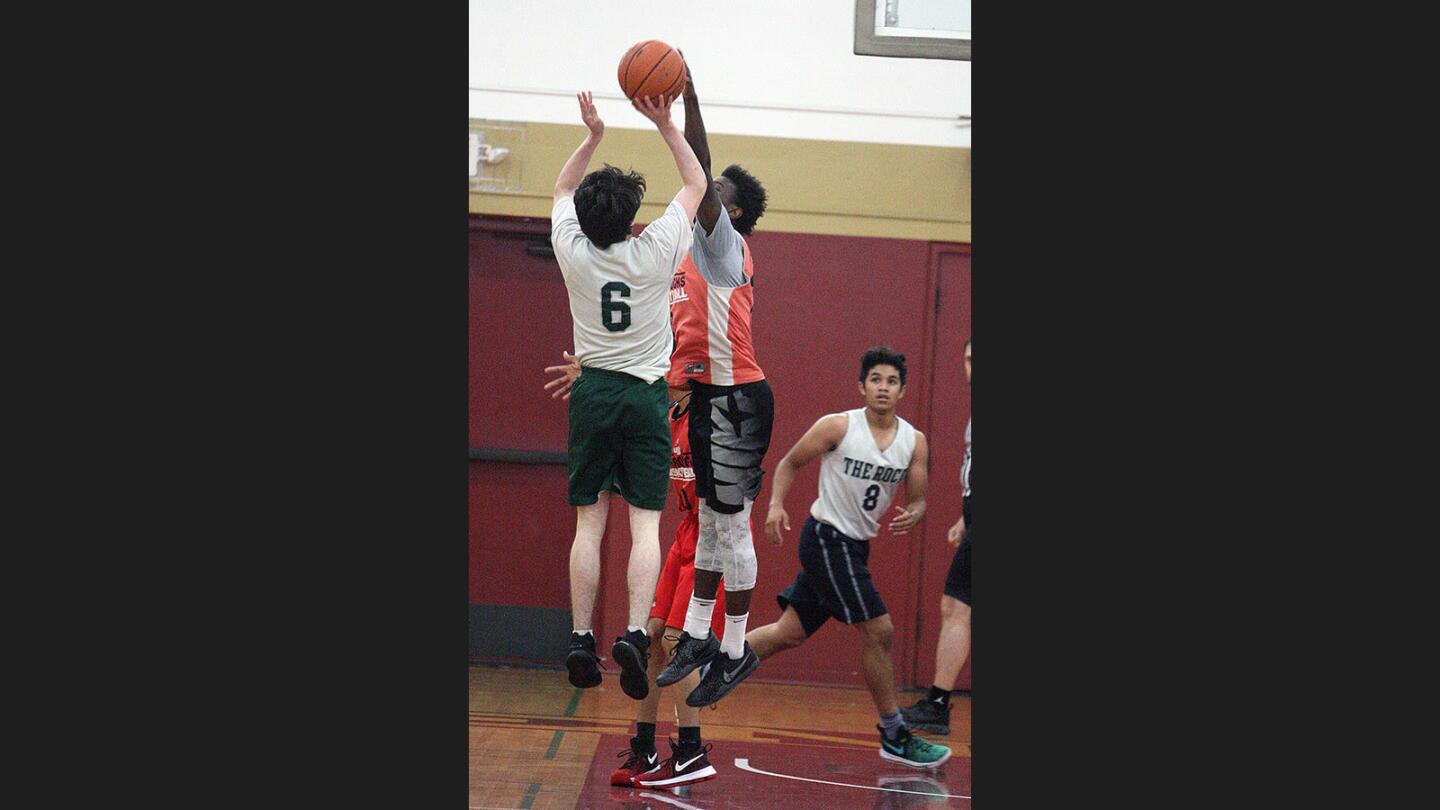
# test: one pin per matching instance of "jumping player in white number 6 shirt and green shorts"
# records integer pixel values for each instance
(620, 305)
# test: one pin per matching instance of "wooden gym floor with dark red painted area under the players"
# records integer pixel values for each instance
(538, 743)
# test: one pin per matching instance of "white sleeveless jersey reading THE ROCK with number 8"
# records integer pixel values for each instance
(858, 481)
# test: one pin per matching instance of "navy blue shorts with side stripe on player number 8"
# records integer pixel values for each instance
(834, 582)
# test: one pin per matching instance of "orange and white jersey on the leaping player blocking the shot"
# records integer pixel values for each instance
(712, 328)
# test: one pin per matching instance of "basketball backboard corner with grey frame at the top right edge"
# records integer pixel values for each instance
(921, 30)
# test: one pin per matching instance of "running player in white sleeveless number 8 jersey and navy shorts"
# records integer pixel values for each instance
(865, 456)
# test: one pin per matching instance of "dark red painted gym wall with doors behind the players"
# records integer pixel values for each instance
(820, 303)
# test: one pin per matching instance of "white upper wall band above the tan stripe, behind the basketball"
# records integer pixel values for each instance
(761, 67)
